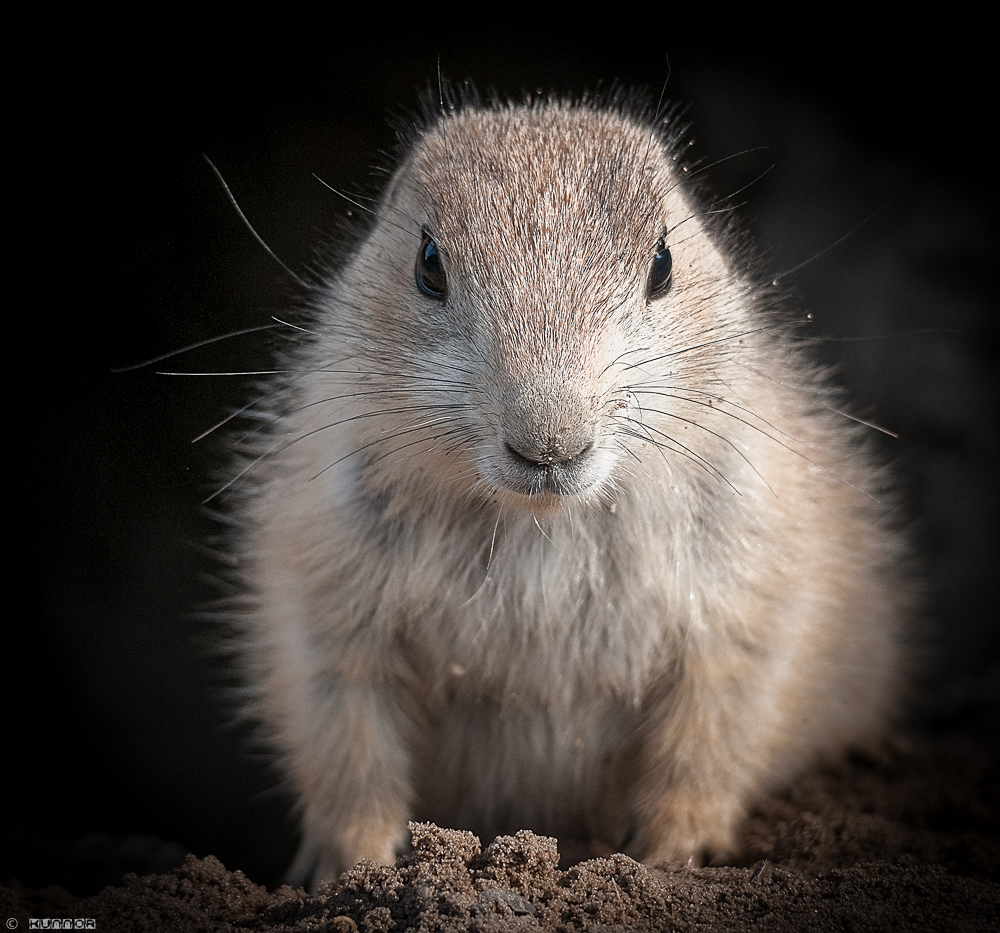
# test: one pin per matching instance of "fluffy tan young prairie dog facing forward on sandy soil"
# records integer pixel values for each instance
(554, 525)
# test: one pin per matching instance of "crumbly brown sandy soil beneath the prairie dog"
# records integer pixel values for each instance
(911, 842)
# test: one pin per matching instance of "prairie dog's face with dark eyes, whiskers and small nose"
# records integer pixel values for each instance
(542, 255)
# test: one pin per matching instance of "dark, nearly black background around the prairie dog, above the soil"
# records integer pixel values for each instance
(114, 724)
